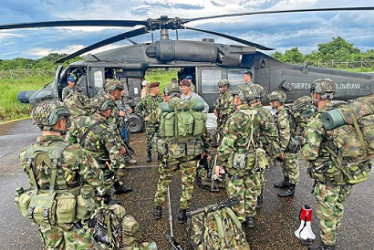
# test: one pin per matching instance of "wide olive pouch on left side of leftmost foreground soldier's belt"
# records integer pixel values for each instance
(42, 209)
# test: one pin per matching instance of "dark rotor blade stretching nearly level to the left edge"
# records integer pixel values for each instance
(71, 23)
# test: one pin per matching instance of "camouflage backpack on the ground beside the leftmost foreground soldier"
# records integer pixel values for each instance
(115, 229)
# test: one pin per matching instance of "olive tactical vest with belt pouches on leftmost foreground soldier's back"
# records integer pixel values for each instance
(60, 204)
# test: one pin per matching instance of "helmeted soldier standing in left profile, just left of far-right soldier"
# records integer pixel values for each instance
(288, 156)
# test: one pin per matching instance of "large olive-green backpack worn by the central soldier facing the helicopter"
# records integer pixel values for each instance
(181, 126)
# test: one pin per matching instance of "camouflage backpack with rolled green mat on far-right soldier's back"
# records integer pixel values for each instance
(350, 128)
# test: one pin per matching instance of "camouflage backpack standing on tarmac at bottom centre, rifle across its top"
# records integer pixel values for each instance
(216, 227)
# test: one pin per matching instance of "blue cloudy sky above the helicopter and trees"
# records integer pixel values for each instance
(278, 31)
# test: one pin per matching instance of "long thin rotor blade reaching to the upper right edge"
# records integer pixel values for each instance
(277, 12)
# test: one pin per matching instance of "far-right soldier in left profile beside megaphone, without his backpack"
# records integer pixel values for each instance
(329, 194)
